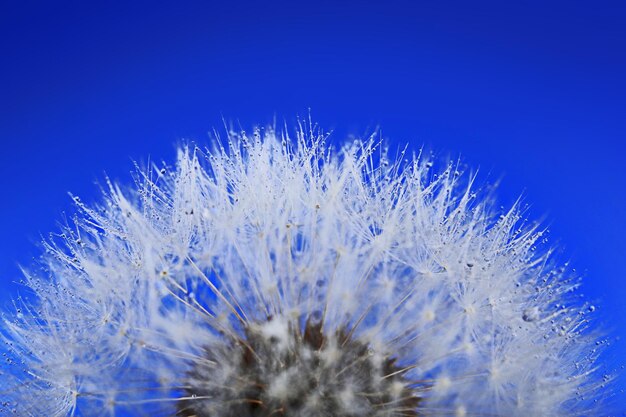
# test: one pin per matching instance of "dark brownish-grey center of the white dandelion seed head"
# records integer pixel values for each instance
(278, 370)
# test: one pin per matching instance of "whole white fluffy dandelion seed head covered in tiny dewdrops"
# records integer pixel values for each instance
(277, 276)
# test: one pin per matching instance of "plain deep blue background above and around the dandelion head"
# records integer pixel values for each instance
(531, 92)
